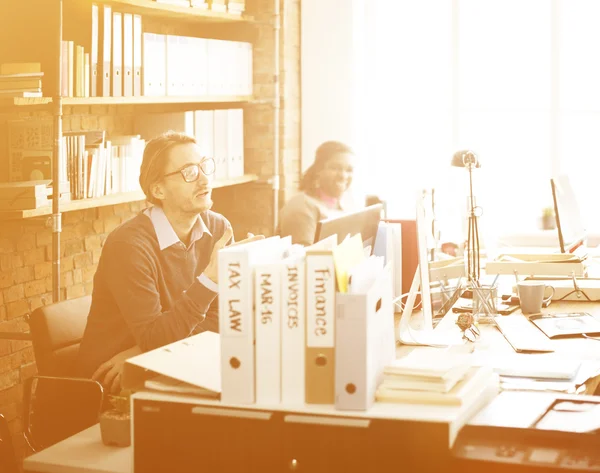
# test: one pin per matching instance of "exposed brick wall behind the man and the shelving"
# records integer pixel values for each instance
(26, 246)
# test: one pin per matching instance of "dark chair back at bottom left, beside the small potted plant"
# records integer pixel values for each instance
(56, 408)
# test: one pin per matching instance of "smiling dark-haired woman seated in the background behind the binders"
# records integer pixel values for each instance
(323, 194)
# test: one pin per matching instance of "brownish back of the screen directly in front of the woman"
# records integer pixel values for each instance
(364, 221)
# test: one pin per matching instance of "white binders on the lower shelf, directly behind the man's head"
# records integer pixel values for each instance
(219, 134)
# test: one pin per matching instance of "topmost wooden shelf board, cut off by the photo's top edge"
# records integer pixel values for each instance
(150, 7)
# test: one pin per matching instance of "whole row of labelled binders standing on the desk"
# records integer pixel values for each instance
(294, 330)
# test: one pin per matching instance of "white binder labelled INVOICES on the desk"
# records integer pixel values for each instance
(293, 329)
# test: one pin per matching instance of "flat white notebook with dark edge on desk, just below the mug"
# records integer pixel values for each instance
(566, 324)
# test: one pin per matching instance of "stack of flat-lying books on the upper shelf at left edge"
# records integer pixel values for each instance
(20, 80)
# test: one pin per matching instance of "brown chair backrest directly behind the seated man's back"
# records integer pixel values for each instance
(56, 332)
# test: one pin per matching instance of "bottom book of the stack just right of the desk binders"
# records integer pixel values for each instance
(466, 391)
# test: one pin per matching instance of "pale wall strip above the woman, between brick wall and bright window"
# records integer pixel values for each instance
(331, 74)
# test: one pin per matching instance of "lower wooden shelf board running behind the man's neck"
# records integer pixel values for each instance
(112, 199)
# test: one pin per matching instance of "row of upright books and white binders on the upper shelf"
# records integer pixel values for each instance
(115, 58)
